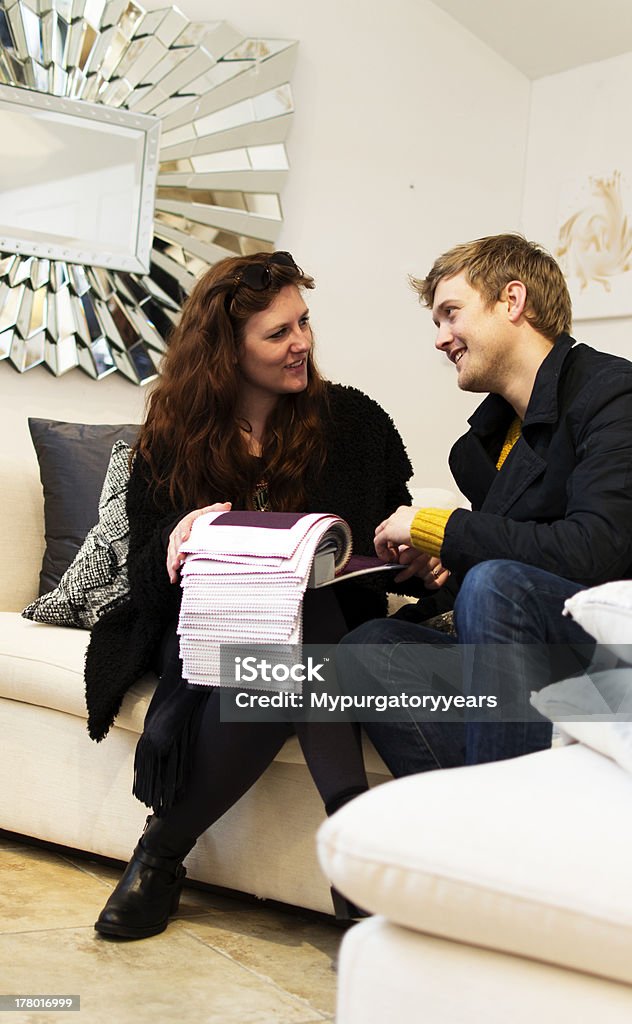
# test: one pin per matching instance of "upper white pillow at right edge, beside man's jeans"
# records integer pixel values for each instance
(606, 613)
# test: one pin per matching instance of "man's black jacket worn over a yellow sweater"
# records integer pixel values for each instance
(563, 501)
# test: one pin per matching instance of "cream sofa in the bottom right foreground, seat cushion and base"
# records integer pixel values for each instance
(502, 892)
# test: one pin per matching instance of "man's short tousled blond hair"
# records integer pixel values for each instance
(492, 263)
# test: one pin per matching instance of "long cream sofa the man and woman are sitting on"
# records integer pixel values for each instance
(58, 785)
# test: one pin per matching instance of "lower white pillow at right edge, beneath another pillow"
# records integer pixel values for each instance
(595, 710)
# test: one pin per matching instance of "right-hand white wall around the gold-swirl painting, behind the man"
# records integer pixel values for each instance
(579, 127)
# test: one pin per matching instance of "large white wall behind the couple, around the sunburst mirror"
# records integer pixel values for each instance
(409, 137)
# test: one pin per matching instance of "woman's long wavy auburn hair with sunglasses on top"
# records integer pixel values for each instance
(192, 439)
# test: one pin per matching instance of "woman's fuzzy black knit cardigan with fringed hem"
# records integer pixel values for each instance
(364, 481)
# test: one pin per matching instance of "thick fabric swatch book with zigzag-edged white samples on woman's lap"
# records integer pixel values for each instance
(244, 581)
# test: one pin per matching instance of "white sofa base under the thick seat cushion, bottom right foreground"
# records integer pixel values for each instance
(388, 973)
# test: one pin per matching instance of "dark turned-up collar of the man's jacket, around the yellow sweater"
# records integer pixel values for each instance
(543, 403)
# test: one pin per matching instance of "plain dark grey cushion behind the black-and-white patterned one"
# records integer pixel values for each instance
(73, 460)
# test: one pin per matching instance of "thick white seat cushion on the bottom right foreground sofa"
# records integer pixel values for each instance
(529, 857)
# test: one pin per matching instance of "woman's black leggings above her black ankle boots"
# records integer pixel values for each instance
(230, 757)
